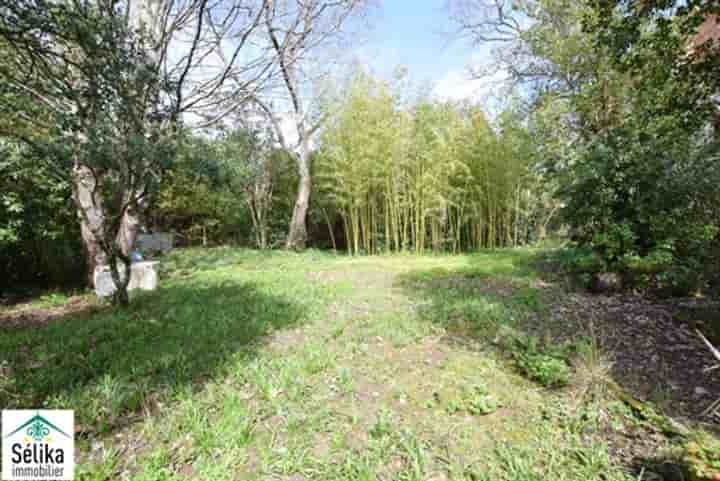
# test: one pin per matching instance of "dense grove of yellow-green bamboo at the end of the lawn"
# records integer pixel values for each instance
(425, 176)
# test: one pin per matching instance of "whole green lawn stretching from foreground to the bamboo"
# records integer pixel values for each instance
(250, 365)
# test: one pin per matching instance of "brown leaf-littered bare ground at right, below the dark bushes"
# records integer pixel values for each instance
(654, 356)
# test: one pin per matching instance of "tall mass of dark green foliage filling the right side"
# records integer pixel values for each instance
(624, 116)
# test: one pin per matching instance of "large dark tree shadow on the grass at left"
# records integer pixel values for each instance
(120, 362)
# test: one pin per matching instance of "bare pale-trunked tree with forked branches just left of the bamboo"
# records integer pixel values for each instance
(297, 30)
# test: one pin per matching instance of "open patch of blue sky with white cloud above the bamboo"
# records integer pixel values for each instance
(419, 35)
